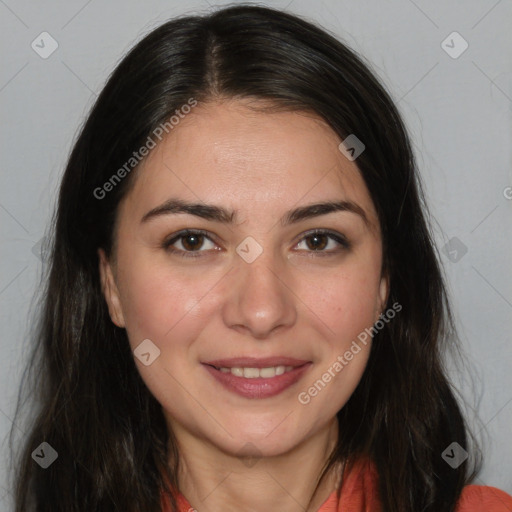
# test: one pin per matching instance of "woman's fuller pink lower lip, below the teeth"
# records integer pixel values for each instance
(259, 387)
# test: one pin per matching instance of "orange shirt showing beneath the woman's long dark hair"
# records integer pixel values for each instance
(359, 494)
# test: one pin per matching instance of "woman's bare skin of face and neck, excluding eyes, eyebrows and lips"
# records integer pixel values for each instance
(290, 301)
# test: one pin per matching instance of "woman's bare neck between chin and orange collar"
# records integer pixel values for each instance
(214, 481)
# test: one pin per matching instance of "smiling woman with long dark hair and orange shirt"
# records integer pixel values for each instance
(244, 307)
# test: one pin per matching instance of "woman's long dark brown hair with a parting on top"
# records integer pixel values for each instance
(89, 401)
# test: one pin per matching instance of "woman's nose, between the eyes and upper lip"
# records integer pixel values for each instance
(259, 301)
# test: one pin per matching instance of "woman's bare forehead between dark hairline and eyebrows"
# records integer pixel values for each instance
(253, 161)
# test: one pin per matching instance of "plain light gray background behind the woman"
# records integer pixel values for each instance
(458, 111)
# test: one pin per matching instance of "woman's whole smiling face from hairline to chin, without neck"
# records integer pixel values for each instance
(255, 284)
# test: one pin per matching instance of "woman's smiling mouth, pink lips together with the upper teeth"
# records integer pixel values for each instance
(257, 378)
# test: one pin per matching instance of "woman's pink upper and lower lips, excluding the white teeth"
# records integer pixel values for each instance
(259, 387)
